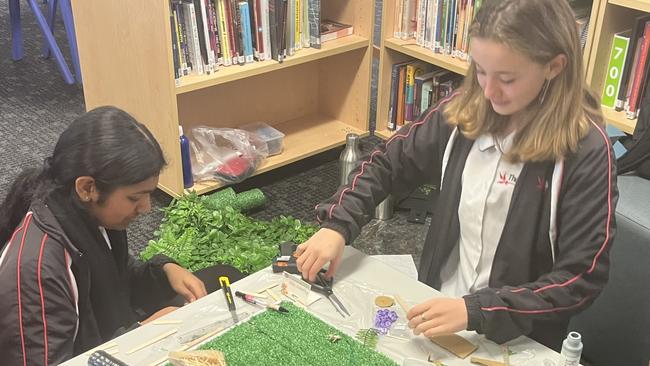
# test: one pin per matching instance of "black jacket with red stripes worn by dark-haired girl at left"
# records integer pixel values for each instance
(46, 316)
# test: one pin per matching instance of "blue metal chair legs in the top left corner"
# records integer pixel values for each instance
(17, 40)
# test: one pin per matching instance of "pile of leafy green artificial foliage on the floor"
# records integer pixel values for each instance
(197, 235)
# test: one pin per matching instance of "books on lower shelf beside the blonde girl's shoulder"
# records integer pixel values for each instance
(415, 86)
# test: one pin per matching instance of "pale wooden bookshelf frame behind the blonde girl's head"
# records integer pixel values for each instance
(396, 50)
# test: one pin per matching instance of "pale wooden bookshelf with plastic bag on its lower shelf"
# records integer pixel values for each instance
(315, 97)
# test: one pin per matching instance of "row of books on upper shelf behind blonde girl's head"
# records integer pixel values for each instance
(442, 26)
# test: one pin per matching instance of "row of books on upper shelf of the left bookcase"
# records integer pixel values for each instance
(208, 34)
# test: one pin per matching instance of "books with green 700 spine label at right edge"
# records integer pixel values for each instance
(628, 70)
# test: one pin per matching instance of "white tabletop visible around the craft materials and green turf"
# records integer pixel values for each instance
(359, 280)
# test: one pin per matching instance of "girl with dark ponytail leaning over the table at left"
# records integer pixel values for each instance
(68, 280)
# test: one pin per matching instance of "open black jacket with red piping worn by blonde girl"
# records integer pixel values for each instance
(552, 260)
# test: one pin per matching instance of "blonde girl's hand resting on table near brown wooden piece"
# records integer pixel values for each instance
(438, 316)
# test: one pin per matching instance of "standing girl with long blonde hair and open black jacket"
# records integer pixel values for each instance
(522, 228)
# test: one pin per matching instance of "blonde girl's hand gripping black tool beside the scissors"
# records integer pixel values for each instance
(323, 247)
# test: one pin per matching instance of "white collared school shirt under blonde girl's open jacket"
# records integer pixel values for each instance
(488, 182)
